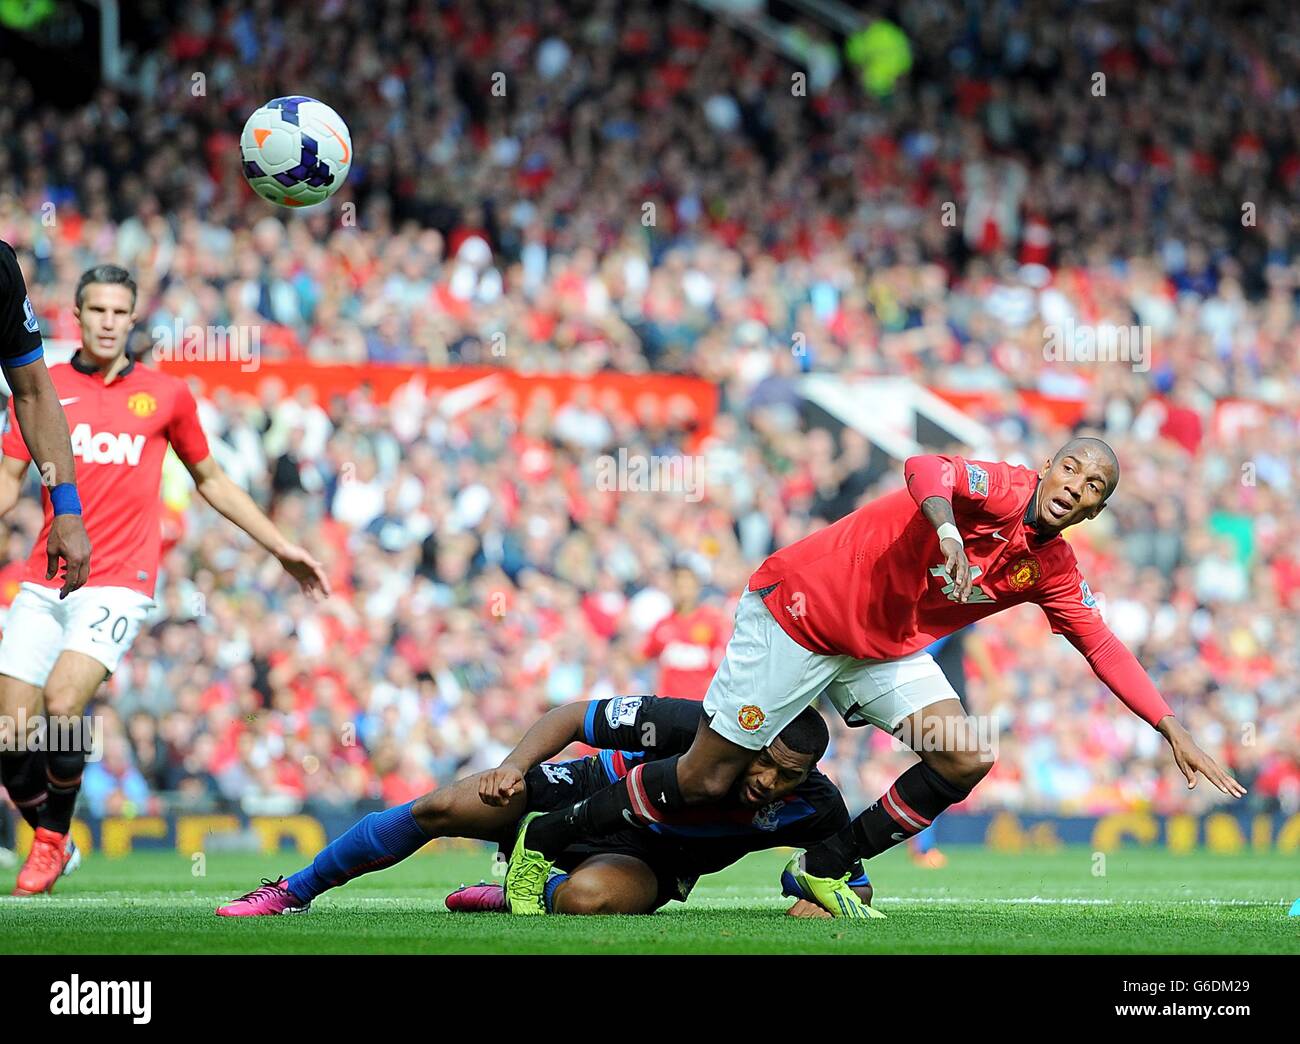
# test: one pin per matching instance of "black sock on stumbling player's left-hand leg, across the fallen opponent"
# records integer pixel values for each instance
(647, 794)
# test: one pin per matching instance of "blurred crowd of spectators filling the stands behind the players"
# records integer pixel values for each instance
(642, 190)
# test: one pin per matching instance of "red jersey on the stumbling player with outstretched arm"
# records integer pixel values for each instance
(874, 587)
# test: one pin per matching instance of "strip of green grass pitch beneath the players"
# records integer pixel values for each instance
(1150, 902)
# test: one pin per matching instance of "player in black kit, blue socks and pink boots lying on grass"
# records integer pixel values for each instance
(779, 799)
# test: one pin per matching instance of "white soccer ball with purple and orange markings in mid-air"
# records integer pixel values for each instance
(297, 151)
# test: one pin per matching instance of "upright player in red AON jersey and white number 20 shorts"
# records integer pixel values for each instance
(58, 651)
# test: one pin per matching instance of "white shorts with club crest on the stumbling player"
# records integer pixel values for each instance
(766, 679)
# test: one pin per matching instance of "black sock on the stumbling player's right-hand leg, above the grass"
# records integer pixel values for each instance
(905, 809)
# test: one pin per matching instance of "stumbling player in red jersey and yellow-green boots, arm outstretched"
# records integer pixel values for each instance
(850, 612)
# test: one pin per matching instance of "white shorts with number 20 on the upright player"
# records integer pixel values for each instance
(99, 622)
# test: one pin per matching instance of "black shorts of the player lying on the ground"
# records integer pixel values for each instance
(560, 785)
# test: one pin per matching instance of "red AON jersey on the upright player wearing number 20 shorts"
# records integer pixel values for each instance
(120, 434)
